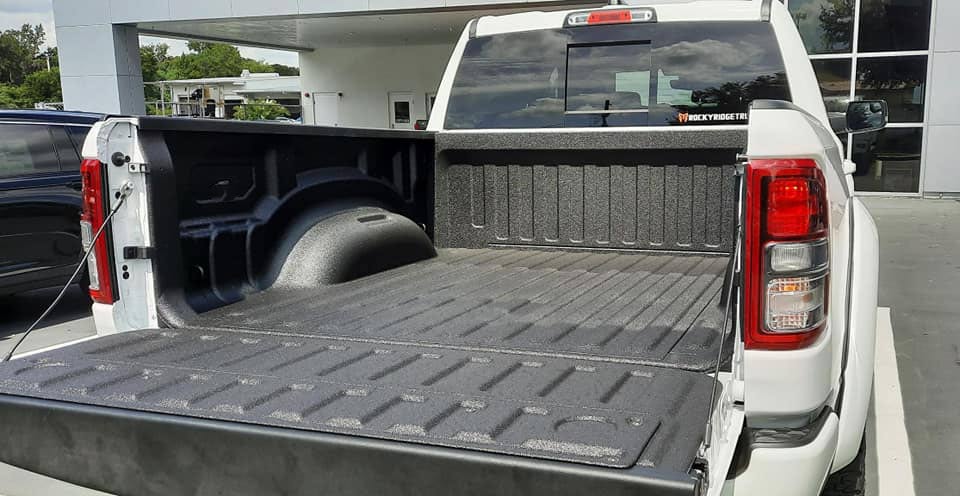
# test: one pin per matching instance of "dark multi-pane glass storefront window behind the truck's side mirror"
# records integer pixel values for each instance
(888, 161)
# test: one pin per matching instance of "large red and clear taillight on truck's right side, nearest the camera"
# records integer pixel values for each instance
(787, 254)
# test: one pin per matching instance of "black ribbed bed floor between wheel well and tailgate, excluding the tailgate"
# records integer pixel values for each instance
(652, 308)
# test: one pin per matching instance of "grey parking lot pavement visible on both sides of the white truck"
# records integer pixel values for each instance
(919, 273)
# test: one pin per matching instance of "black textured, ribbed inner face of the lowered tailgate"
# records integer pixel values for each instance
(592, 412)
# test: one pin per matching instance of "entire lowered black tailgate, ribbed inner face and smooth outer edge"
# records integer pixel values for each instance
(144, 408)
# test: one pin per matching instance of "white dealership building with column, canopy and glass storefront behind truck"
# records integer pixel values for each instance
(377, 63)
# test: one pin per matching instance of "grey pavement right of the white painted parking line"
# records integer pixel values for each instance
(920, 282)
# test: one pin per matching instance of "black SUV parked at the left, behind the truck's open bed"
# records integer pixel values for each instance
(40, 196)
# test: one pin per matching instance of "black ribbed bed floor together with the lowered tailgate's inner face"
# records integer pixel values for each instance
(552, 355)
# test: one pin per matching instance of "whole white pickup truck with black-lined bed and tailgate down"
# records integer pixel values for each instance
(626, 258)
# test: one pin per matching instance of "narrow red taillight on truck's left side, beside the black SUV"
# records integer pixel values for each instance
(91, 218)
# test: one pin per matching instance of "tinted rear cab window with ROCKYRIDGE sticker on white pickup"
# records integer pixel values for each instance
(661, 74)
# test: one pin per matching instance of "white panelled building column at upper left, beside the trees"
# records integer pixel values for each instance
(99, 61)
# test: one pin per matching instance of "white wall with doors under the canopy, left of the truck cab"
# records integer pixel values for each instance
(365, 75)
